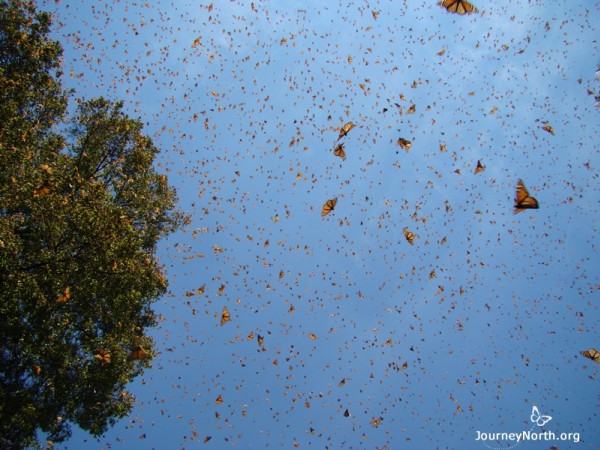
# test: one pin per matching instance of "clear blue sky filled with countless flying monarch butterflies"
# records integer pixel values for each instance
(247, 120)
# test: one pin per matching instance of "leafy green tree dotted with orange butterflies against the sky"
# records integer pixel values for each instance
(81, 211)
